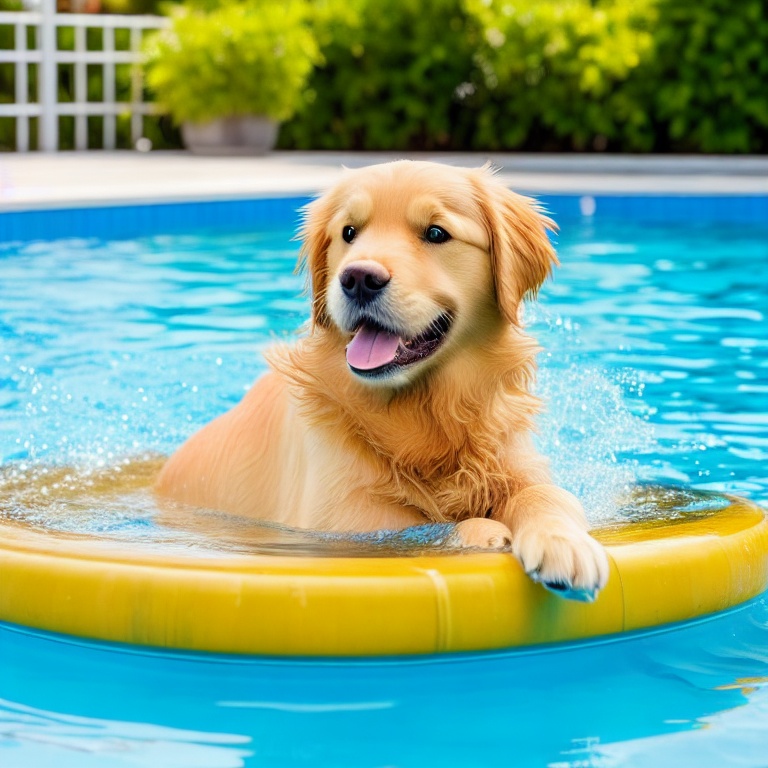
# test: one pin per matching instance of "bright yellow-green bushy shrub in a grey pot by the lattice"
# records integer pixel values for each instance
(230, 74)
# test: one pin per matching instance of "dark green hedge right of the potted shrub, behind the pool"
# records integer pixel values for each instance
(621, 75)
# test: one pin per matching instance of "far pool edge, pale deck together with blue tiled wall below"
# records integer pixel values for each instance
(119, 195)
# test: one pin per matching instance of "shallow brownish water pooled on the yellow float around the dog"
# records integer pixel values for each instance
(117, 504)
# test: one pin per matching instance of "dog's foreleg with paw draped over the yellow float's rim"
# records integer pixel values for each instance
(550, 538)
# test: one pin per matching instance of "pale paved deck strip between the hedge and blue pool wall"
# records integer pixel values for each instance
(68, 179)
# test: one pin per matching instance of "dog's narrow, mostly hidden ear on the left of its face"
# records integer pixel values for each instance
(313, 256)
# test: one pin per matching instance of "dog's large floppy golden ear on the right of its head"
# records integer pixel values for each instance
(522, 256)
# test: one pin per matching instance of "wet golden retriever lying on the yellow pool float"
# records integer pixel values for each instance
(408, 401)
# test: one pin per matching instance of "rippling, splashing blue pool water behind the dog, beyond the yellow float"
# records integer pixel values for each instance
(656, 363)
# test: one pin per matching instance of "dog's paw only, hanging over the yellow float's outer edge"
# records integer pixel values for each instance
(567, 560)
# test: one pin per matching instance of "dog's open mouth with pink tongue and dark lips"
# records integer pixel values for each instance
(376, 351)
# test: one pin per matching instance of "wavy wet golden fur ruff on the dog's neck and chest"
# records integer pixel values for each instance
(438, 446)
